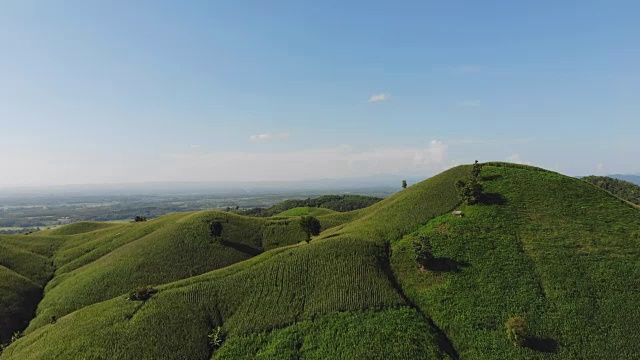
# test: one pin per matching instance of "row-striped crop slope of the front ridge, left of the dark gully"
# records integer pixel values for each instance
(273, 290)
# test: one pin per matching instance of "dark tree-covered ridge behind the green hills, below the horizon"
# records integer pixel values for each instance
(339, 203)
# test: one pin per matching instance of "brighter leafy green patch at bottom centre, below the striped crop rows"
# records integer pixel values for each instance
(357, 335)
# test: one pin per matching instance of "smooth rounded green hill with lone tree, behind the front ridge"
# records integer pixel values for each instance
(115, 260)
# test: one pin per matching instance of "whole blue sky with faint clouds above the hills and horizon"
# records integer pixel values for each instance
(136, 91)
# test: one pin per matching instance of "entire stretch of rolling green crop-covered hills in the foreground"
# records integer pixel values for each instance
(554, 250)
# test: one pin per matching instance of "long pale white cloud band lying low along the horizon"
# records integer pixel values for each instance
(189, 165)
